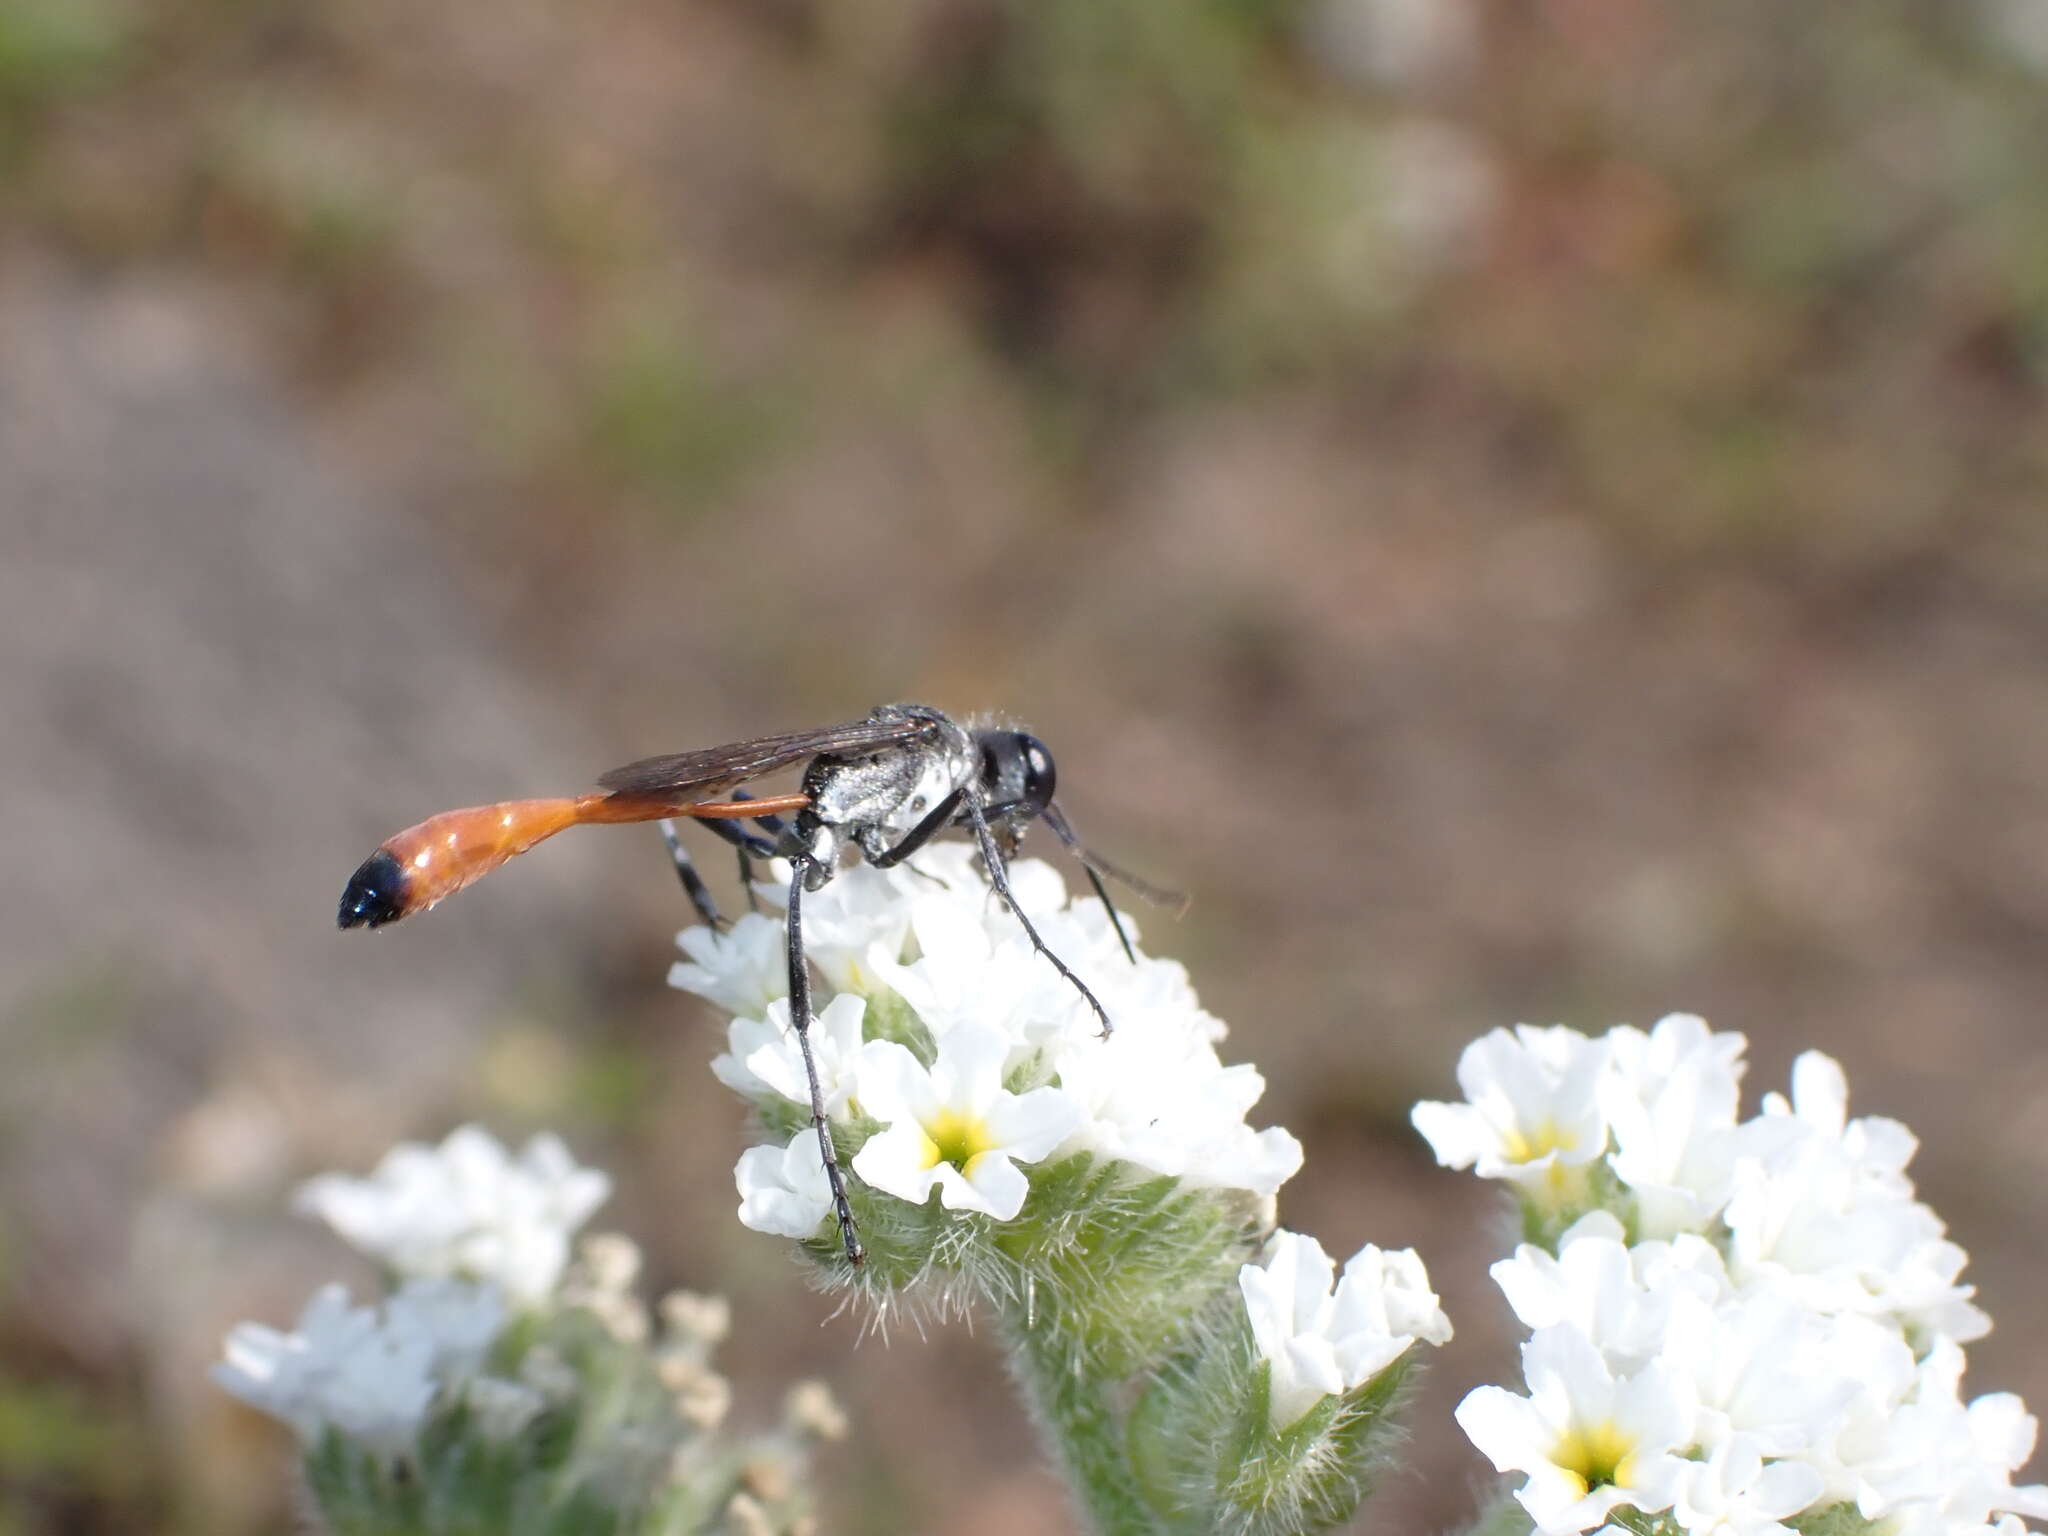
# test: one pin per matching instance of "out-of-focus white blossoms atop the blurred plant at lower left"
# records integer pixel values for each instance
(472, 1234)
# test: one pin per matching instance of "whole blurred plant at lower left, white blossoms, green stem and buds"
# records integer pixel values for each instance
(503, 1381)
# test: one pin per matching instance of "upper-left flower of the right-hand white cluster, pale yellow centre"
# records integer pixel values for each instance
(1533, 1111)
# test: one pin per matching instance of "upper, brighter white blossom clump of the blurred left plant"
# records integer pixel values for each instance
(466, 1209)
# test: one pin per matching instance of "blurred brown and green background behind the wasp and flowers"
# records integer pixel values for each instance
(1527, 511)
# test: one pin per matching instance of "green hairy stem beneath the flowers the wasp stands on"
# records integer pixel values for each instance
(1119, 1310)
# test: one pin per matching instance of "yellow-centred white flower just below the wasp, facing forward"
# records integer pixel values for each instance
(955, 1127)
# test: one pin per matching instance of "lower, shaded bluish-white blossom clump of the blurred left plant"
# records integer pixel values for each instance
(370, 1373)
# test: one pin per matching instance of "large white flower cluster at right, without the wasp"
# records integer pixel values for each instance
(1744, 1322)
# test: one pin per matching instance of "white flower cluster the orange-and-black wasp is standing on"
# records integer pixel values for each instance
(1009, 1070)
